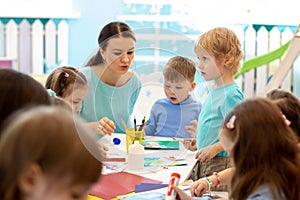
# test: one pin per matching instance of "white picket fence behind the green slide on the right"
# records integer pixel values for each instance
(255, 43)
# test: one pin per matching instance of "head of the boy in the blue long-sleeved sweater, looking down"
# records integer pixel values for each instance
(179, 74)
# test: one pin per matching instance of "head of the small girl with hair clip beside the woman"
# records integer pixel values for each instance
(70, 84)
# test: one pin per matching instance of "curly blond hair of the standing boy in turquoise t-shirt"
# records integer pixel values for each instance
(222, 43)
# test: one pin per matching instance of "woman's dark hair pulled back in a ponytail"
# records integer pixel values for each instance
(111, 30)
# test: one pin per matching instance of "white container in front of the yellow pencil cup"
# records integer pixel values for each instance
(136, 154)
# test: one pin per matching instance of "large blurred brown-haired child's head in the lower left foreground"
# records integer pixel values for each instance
(47, 153)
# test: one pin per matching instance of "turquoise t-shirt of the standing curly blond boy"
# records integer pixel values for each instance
(217, 105)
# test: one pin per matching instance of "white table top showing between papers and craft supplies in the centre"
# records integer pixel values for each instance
(158, 172)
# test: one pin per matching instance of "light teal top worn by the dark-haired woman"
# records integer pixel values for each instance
(115, 103)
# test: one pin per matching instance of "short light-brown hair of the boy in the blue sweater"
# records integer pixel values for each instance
(180, 68)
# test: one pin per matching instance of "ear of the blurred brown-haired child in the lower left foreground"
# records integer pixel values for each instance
(29, 178)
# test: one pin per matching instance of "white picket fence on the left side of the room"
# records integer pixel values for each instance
(33, 47)
